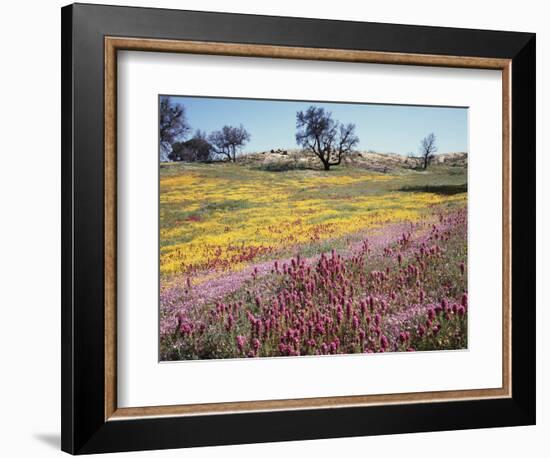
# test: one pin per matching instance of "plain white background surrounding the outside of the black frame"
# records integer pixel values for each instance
(30, 226)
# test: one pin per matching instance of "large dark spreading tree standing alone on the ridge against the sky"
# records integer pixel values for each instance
(328, 139)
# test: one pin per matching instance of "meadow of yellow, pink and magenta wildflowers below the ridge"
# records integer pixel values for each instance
(256, 263)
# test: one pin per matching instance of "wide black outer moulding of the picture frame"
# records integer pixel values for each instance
(84, 429)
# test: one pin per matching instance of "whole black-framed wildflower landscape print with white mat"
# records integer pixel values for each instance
(283, 228)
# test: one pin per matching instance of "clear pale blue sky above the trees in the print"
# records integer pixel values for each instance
(383, 128)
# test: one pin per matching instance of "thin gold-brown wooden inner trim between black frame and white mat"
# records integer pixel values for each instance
(114, 44)
